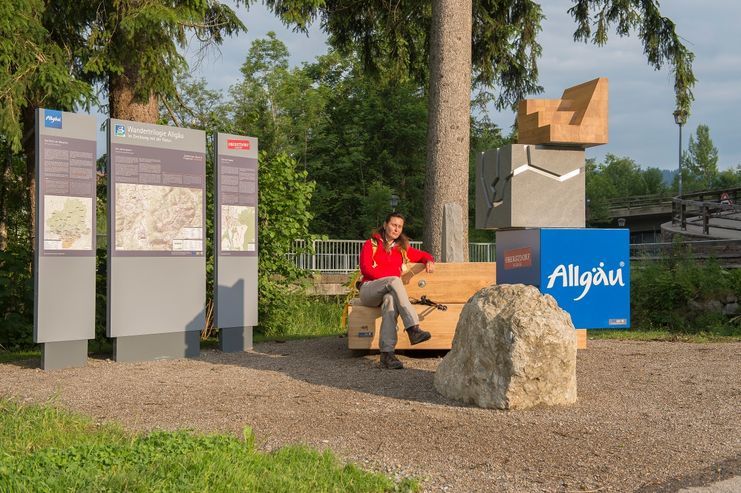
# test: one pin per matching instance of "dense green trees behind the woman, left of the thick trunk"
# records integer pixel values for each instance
(347, 131)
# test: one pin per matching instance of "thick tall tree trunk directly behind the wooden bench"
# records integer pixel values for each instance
(448, 126)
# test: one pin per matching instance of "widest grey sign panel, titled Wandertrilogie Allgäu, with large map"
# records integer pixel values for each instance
(156, 243)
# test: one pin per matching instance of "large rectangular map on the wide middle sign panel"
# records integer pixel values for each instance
(154, 217)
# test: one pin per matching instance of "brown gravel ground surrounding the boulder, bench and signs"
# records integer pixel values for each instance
(651, 416)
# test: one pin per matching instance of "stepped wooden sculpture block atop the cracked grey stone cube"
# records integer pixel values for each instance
(579, 118)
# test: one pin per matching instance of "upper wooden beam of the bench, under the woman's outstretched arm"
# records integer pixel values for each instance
(453, 282)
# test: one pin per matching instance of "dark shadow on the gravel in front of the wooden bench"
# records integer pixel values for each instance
(328, 362)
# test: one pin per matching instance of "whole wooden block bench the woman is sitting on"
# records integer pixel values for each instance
(452, 284)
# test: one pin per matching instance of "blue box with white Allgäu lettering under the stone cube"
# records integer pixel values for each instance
(587, 271)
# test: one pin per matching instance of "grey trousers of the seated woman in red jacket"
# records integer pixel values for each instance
(390, 294)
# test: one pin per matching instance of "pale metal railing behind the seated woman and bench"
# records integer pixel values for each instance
(342, 255)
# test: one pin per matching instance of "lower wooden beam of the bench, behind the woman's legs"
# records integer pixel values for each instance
(364, 327)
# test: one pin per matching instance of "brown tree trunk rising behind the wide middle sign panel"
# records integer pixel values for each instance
(123, 102)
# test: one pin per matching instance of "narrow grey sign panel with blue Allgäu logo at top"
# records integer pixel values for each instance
(64, 273)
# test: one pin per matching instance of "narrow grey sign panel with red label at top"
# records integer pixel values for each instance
(236, 231)
